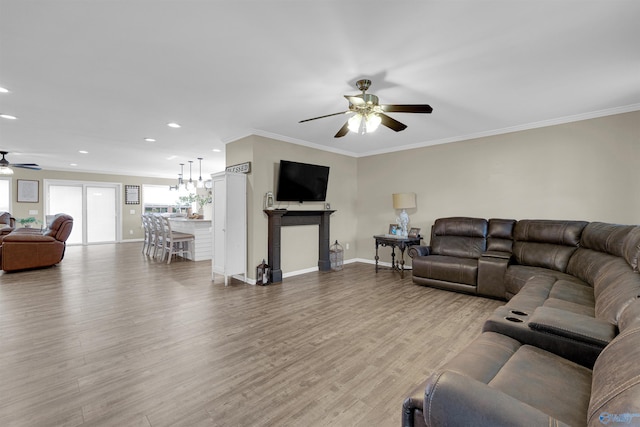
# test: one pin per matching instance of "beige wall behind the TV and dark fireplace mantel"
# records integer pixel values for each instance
(299, 243)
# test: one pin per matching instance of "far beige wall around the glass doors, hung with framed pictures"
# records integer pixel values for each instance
(129, 221)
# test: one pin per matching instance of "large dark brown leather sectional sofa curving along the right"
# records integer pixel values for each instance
(564, 350)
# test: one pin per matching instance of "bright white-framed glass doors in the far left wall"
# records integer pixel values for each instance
(94, 207)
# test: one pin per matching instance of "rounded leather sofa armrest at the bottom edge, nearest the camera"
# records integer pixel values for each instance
(455, 399)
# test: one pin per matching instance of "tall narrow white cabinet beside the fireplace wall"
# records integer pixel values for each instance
(229, 225)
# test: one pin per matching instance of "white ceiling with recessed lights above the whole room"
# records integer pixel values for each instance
(102, 75)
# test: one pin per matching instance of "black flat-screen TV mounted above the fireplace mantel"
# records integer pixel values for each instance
(302, 182)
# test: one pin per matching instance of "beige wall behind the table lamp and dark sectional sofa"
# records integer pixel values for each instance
(587, 170)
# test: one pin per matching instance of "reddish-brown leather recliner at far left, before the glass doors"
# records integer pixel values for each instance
(28, 248)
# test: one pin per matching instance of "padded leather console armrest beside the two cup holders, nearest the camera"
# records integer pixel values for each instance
(573, 326)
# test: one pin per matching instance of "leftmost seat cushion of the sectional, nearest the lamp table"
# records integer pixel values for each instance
(447, 268)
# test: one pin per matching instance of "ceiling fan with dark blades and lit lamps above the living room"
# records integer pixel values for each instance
(369, 114)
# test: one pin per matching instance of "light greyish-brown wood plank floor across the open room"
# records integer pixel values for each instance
(111, 338)
